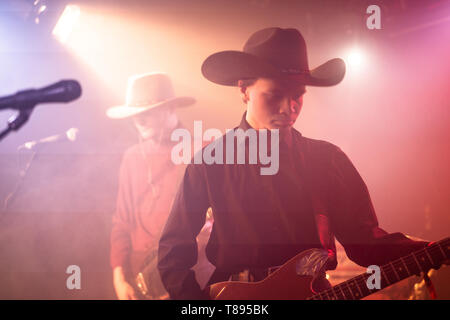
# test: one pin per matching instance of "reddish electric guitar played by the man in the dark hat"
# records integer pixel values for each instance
(294, 280)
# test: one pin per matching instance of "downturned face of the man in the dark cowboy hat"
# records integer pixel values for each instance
(273, 103)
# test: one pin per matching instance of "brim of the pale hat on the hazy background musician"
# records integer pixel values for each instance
(124, 111)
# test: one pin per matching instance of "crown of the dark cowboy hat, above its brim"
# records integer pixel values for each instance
(285, 49)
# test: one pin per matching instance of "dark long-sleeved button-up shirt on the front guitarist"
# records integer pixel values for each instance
(264, 220)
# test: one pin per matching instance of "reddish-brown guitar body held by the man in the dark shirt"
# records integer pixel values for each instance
(293, 281)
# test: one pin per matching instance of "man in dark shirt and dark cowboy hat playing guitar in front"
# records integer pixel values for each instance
(261, 221)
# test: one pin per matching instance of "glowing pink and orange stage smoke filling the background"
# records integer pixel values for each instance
(391, 118)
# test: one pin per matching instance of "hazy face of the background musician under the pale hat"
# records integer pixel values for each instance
(152, 122)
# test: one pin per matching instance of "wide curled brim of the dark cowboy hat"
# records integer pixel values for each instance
(227, 67)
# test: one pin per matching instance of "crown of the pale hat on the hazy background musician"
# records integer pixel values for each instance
(147, 89)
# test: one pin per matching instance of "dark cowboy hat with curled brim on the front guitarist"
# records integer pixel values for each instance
(271, 52)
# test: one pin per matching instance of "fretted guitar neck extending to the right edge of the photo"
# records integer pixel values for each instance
(412, 264)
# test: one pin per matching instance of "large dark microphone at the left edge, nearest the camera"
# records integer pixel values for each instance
(62, 91)
